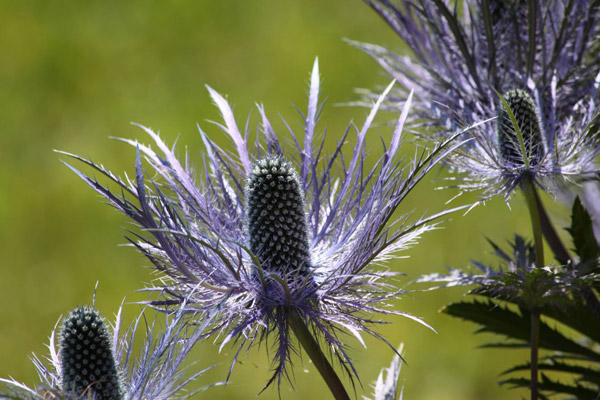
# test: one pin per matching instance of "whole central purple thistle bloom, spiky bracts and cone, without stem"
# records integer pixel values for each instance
(269, 231)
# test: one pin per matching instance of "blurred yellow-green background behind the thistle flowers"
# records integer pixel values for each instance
(74, 73)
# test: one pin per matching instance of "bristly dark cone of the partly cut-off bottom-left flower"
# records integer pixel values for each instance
(86, 356)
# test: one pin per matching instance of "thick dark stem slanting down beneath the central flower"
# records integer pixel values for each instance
(313, 350)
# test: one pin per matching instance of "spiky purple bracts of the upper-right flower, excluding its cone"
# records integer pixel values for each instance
(463, 58)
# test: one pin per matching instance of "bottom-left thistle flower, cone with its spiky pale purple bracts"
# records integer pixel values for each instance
(90, 365)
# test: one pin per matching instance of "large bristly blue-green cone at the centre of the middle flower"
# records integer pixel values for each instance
(276, 218)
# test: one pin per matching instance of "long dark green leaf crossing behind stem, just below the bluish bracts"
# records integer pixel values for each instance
(503, 321)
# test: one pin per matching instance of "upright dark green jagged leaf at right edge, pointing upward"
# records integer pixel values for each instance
(582, 232)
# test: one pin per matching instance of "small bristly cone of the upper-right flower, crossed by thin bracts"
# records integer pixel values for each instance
(528, 121)
